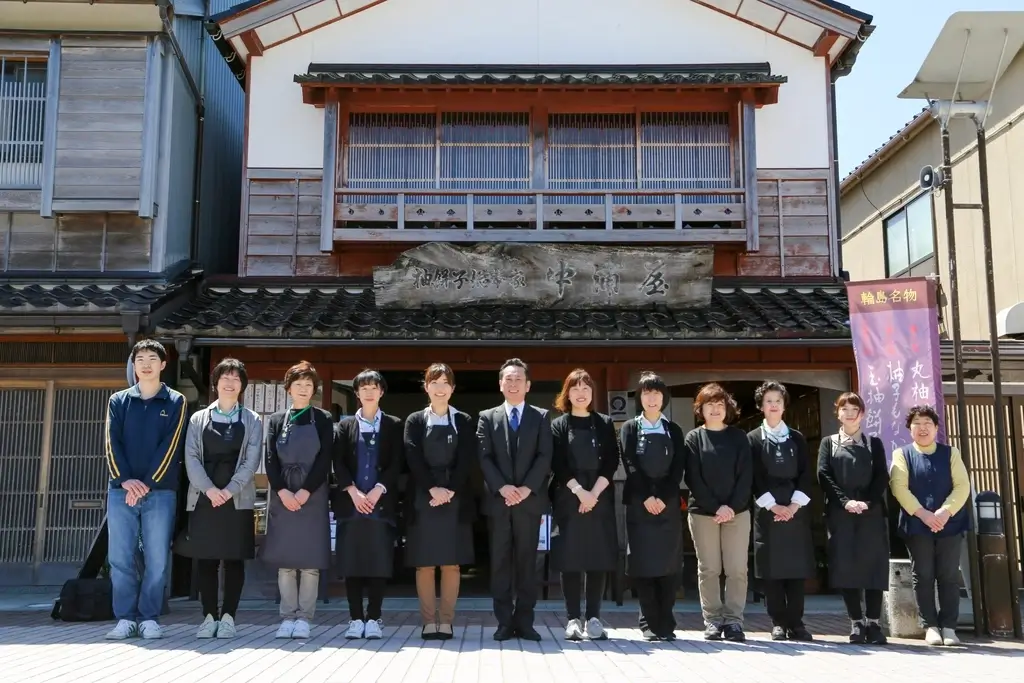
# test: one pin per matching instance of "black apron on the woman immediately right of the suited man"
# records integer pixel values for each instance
(585, 542)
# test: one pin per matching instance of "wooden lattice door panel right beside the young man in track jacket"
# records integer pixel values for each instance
(79, 481)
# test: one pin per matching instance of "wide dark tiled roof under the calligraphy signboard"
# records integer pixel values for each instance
(352, 314)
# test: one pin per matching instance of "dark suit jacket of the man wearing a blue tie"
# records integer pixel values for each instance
(533, 463)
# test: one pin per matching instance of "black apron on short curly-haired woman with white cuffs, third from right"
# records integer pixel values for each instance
(784, 549)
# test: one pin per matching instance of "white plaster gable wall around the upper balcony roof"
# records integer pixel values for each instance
(286, 134)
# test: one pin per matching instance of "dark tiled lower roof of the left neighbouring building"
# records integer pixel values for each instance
(87, 297)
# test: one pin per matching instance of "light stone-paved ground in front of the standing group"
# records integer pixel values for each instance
(35, 650)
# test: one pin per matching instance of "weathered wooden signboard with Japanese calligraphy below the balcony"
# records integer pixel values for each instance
(547, 276)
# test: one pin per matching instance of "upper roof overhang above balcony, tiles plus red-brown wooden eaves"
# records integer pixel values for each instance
(756, 80)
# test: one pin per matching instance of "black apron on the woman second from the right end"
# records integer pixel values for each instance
(859, 545)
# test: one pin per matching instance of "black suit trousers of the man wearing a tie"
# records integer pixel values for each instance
(515, 535)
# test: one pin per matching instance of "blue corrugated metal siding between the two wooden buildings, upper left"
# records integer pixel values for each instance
(221, 195)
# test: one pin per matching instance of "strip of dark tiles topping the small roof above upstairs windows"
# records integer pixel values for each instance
(418, 75)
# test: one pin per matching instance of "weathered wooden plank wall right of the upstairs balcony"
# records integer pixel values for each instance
(793, 205)
